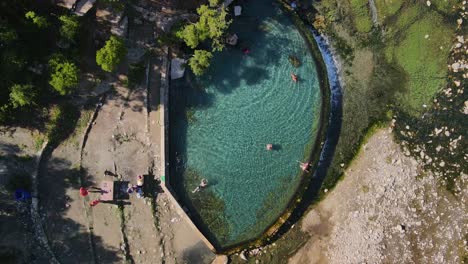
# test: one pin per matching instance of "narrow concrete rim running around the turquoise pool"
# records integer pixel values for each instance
(270, 233)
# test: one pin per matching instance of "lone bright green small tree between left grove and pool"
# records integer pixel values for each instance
(111, 54)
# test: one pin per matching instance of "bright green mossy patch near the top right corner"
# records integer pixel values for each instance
(424, 60)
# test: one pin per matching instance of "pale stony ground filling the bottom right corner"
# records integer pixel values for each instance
(387, 210)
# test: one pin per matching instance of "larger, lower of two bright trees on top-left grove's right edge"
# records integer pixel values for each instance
(64, 76)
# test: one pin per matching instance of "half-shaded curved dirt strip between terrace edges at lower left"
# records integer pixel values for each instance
(61, 207)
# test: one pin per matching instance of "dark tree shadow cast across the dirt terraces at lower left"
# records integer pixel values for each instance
(70, 241)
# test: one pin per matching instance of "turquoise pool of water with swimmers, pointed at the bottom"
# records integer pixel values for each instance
(221, 123)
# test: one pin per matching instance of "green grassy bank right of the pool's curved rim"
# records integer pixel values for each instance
(397, 68)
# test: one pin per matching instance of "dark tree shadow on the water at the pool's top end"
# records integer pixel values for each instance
(247, 68)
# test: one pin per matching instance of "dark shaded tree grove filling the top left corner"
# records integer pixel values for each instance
(27, 34)
